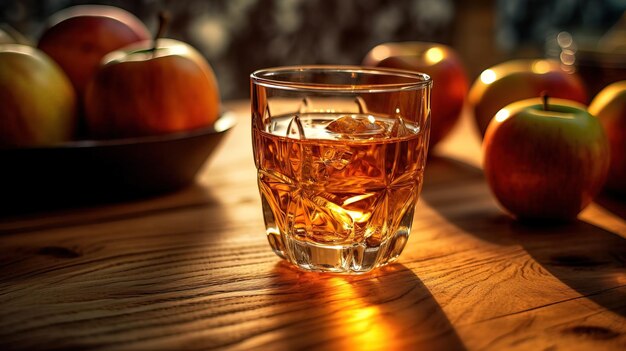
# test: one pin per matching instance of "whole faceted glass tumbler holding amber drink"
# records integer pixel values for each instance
(340, 153)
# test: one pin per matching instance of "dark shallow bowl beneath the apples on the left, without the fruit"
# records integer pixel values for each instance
(96, 171)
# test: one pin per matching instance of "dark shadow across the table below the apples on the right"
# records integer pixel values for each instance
(586, 258)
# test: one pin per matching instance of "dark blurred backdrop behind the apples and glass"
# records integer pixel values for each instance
(240, 36)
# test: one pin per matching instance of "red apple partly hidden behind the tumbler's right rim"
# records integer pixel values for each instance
(445, 68)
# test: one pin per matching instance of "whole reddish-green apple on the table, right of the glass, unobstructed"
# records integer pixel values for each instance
(545, 161)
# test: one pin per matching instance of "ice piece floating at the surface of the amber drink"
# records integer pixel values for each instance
(357, 127)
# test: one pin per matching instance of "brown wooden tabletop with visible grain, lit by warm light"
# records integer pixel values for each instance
(193, 270)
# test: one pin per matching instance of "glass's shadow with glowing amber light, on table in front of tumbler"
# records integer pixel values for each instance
(387, 309)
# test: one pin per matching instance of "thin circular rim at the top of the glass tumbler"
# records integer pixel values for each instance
(264, 78)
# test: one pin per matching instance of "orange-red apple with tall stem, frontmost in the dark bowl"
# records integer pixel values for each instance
(140, 91)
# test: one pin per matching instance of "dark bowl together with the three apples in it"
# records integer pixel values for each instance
(122, 117)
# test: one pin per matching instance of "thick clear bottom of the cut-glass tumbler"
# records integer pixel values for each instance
(351, 259)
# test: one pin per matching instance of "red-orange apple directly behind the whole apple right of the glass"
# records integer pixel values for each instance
(521, 79)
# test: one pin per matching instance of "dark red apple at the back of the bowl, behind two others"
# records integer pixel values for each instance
(78, 37)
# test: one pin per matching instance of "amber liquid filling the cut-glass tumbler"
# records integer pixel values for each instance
(338, 202)
